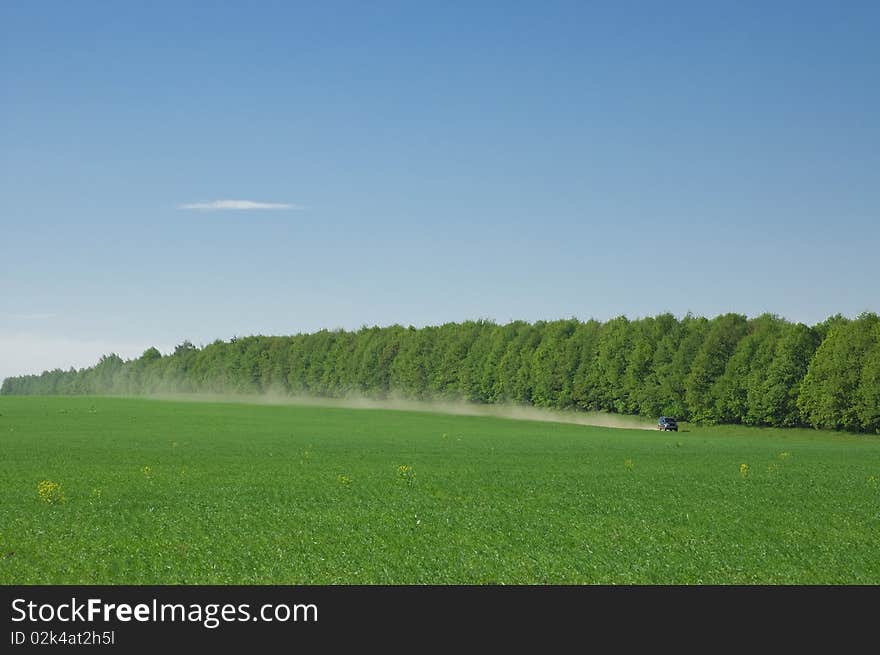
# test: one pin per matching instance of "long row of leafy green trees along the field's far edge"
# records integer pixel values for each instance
(730, 369)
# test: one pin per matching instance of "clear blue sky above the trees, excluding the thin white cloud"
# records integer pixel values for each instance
(441, 161)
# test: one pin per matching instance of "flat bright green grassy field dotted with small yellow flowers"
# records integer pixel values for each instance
(161, 492)
